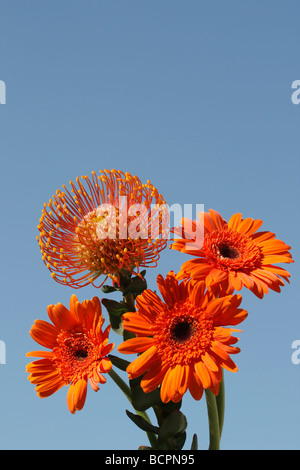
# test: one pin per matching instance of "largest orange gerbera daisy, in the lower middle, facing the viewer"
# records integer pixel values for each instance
(182, 342)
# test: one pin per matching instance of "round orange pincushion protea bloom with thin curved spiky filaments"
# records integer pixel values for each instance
(110, 224)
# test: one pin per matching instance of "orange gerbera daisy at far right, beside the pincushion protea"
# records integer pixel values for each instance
(233, 254)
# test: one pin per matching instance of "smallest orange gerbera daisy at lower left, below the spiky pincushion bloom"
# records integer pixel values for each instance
(78, 351)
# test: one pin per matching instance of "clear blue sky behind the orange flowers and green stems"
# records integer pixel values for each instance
(193, 95)
